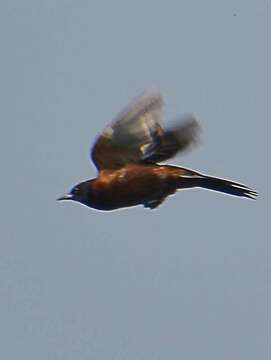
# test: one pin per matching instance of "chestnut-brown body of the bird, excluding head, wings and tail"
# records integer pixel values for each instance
(131, 185)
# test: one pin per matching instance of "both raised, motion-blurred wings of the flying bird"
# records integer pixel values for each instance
(137, 136)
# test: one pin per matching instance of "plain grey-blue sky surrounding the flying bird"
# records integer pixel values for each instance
(190, 280)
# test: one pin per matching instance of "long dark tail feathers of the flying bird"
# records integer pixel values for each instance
(226, 186)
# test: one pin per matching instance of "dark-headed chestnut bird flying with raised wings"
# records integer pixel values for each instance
(128, 156)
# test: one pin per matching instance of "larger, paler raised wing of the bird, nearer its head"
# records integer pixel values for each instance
(123, 141)
